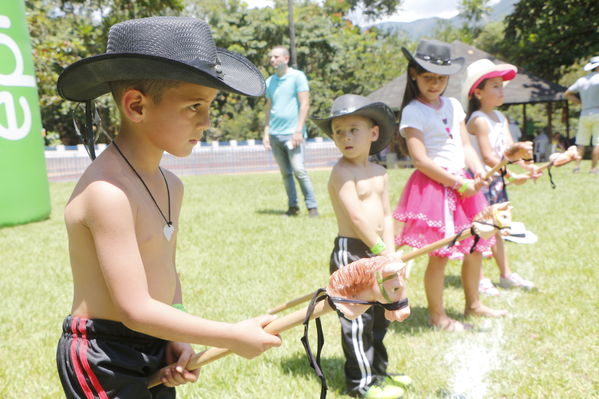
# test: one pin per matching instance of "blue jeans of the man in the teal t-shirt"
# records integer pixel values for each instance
(291, 162)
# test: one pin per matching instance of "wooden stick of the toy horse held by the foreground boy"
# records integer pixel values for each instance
(277, 326)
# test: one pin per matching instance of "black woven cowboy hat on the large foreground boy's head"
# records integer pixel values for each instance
(173, 48)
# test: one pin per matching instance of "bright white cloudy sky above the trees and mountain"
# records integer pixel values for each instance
(410, 10)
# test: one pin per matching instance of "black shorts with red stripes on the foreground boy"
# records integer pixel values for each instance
(104, 359)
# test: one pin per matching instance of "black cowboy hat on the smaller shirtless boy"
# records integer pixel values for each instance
(353, 104)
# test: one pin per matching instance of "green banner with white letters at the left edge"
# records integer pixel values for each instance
(24, 191)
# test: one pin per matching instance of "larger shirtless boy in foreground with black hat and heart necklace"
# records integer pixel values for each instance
(122, 219)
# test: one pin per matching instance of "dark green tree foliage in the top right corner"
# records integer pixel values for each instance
(545, 35)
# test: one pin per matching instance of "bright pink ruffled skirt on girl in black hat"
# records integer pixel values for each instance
(430, 212)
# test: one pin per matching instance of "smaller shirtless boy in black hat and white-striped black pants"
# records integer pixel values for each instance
(358, 191)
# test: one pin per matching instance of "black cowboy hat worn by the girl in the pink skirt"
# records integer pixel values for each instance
(435, 57)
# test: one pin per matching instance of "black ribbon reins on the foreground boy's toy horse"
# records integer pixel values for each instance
(321, 295)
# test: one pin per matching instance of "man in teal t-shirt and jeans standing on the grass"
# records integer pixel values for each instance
(287, 105)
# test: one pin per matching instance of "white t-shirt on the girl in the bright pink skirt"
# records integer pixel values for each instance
(440, 129)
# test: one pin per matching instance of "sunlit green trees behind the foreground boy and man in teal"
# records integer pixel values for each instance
(337, 56)
